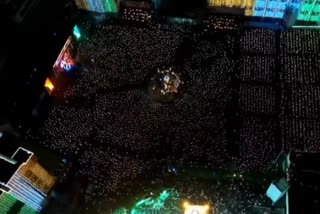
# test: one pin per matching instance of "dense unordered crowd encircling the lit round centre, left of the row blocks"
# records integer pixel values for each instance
(146, 133)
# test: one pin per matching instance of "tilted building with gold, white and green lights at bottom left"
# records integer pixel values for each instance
(24, 183)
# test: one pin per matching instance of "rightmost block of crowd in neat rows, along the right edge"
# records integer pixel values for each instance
(300, 71)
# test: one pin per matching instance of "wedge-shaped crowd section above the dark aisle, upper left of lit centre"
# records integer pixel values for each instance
(123, 61)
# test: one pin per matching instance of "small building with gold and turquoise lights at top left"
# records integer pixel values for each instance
(100, 6)
